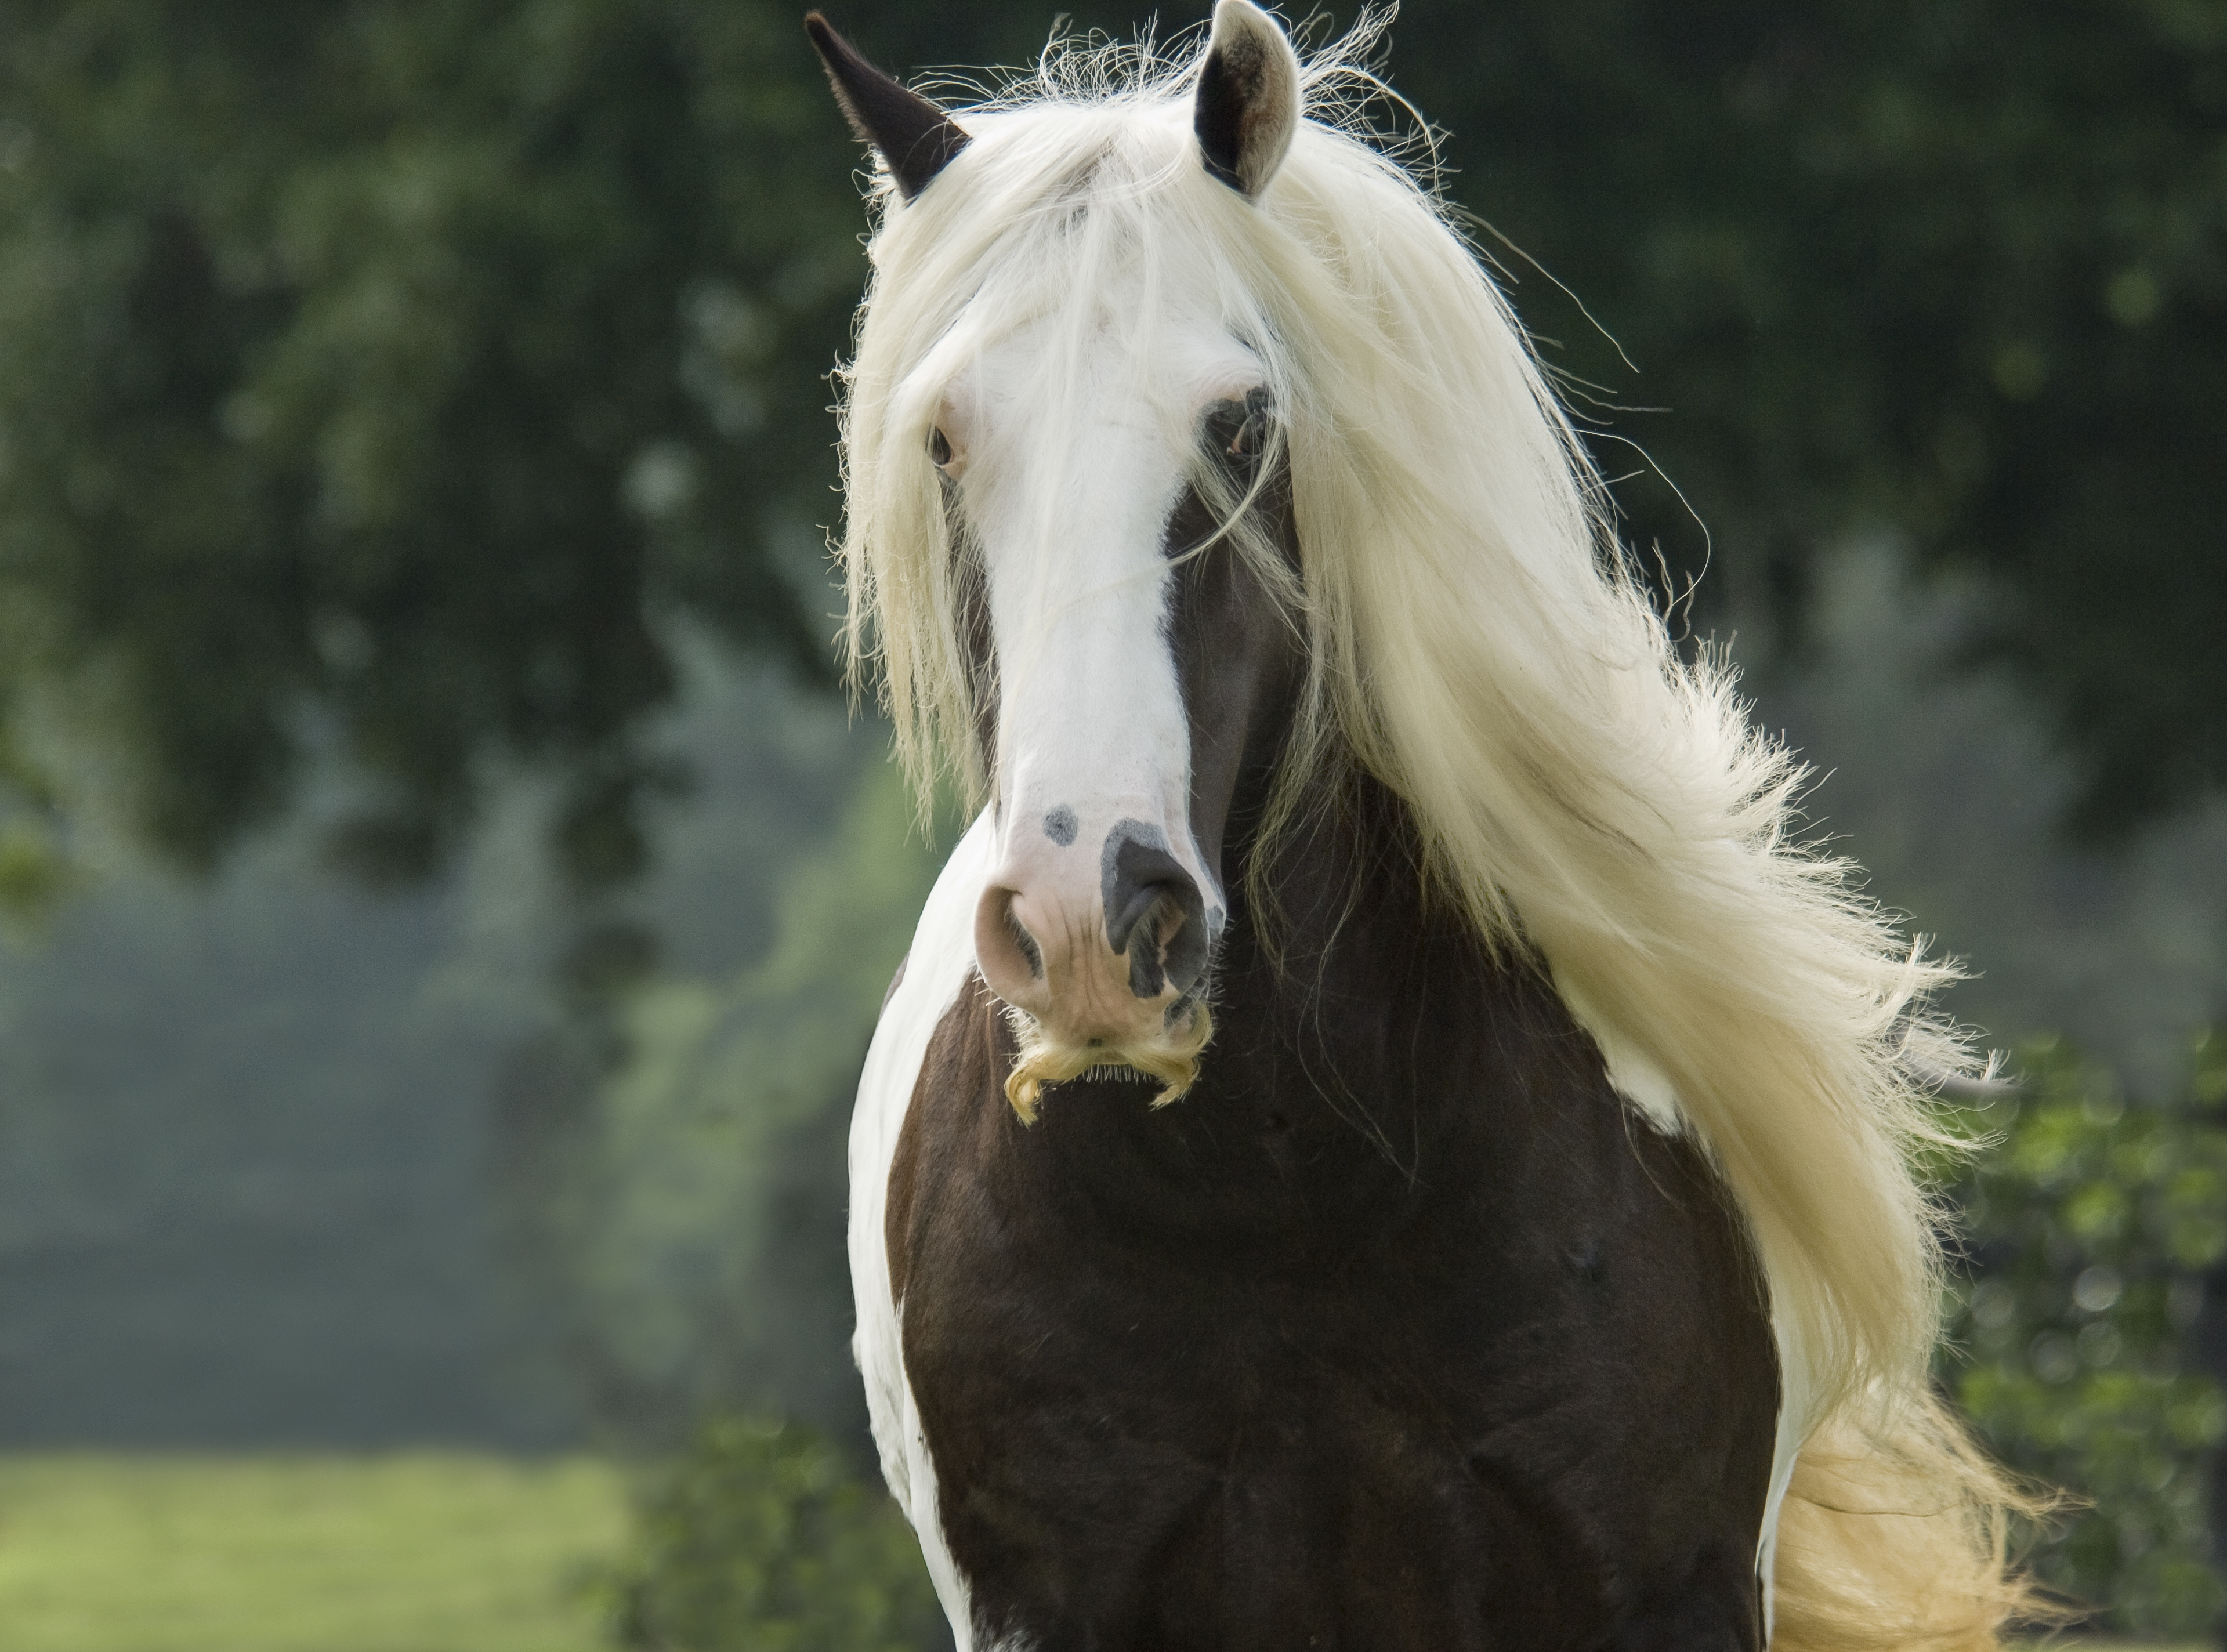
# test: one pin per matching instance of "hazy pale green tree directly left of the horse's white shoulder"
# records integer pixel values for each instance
(700, 1210)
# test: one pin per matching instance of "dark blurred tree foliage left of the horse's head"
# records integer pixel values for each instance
(373, 375)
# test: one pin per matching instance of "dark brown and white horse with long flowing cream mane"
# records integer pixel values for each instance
(1384, 1137)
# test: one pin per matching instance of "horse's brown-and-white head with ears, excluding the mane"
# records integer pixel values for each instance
(1117, 500)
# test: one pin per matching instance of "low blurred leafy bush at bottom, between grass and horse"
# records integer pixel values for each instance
(765, 1540)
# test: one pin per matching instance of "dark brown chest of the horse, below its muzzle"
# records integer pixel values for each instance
(1275, 1370)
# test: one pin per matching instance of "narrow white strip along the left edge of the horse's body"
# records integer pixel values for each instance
(934, 976)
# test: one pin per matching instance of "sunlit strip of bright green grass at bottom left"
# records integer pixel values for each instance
(422, 1553)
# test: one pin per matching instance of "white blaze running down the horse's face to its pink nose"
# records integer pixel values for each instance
(1070, 446)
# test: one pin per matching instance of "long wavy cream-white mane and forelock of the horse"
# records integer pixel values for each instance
(1480, 645)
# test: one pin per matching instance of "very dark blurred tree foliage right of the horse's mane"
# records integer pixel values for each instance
(1956, 268)
